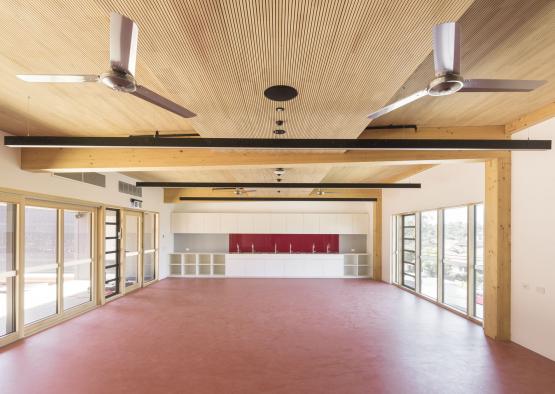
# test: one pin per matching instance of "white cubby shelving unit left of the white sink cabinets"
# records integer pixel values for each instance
(197, 264)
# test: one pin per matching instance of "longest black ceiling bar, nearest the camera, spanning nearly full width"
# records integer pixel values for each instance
(270, 143)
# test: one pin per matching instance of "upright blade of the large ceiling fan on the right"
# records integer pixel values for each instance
(447, 43)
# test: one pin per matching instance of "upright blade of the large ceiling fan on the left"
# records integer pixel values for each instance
(123, 43)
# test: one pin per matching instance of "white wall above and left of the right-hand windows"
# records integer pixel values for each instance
(443, 186)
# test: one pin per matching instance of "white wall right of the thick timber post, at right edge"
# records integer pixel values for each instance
(533, 237)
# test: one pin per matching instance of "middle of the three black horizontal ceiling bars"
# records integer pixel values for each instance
(282, 185)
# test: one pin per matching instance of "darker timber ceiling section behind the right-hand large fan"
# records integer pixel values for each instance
(508, 39)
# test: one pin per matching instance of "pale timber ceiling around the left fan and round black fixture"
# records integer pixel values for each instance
(216, 58)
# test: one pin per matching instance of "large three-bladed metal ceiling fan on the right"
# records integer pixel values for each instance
(448, 80)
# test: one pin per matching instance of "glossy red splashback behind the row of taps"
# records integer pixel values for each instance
(299, 242)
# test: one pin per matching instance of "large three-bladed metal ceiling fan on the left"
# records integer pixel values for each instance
(121, 76)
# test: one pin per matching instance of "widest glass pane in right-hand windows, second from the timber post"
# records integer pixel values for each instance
(455, 257)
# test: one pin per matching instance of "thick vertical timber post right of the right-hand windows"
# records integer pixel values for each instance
(497, 243)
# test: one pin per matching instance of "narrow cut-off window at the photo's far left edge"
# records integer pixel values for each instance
(7, 268)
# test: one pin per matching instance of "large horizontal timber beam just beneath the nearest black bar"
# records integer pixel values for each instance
(116, 160)
